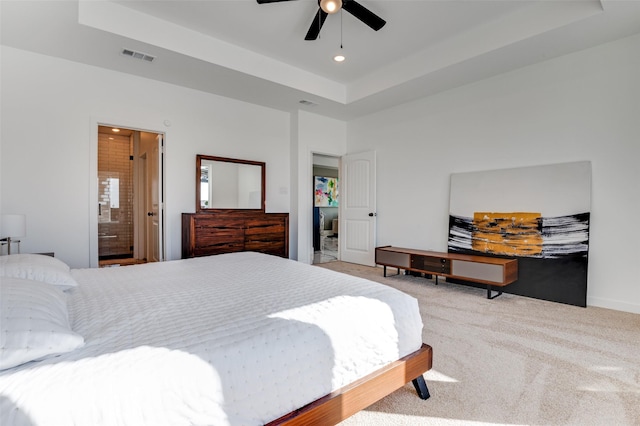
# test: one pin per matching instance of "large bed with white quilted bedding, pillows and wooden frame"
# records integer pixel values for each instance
(233, 339)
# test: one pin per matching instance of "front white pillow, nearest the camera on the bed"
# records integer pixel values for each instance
(35, 322)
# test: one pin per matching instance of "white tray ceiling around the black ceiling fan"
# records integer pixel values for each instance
(257, 53)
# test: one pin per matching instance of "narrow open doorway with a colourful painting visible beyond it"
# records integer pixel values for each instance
(325, 208)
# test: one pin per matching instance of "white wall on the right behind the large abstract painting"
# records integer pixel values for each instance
(583, 106)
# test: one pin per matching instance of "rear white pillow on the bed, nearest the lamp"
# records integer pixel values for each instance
(37, 267)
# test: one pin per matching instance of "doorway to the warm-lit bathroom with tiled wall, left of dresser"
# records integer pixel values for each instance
(129, 196)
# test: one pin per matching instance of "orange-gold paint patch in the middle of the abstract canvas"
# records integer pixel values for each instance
(513, 234)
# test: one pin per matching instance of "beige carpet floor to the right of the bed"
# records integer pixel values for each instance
(513, 360)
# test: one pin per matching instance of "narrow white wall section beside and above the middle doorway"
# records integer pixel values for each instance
(316, 135)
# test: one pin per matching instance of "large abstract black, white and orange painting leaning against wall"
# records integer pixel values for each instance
(539, 215)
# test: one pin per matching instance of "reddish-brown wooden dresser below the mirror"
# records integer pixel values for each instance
(235, 230)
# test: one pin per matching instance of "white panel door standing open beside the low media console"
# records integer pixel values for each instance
(357, 229)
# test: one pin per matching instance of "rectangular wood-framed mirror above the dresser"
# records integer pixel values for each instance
(229, 184)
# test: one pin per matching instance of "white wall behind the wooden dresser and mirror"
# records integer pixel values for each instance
(49, 108)
